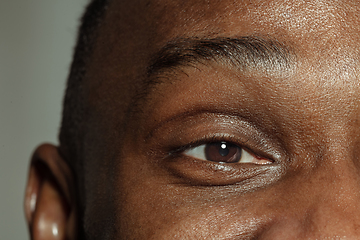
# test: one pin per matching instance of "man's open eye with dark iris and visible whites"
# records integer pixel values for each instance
(224, 152)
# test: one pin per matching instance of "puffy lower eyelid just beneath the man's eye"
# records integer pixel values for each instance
(194, 171)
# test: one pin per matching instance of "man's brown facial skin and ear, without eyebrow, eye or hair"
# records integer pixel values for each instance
(305, 120)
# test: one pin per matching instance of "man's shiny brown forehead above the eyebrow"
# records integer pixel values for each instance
(134, 30)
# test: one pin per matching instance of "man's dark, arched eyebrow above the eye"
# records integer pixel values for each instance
(243, 53)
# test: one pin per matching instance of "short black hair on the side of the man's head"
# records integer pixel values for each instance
(73, 125)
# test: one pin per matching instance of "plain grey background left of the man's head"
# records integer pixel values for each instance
(36, 43)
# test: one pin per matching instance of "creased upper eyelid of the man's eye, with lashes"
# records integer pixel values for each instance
(204, 126)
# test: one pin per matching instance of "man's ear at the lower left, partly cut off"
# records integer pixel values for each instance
(50, 205)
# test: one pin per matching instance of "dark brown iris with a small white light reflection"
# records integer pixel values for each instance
(222, 152)
